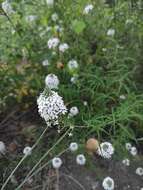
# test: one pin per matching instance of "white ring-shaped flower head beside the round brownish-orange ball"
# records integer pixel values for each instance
(106, 150)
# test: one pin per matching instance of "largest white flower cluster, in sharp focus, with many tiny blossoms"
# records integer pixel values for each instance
(51, 107)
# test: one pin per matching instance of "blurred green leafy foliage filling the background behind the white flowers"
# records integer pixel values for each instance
(108, 65)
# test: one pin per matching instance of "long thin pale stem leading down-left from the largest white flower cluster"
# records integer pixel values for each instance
(20, 162)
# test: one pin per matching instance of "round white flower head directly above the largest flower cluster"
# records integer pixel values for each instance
(52, 81)
